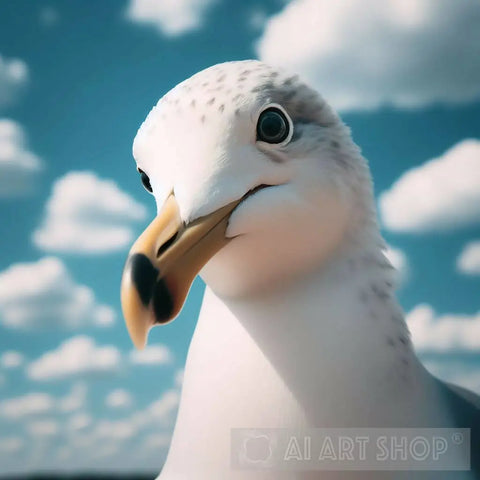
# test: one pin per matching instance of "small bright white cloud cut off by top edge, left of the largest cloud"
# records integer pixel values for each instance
(171, 17)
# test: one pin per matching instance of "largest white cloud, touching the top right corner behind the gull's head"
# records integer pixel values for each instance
(363, 53)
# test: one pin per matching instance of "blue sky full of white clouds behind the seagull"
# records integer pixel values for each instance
(77, 79)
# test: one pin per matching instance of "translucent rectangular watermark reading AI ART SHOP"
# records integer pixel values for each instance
(351, 449)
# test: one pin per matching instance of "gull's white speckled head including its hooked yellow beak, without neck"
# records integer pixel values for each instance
(256, 181)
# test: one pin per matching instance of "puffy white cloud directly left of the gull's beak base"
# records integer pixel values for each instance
(88, 215)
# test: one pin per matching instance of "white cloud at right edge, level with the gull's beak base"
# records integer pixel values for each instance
(441, 194)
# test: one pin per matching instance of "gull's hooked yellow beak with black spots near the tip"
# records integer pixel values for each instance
(163, 263)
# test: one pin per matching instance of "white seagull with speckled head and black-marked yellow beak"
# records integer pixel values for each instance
(261, 190)
